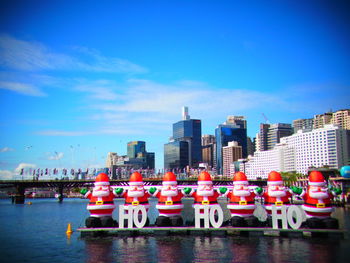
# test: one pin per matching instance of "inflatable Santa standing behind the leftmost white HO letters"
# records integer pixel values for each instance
(135, 194)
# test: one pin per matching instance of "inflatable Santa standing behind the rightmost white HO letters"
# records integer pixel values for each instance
(277, 194)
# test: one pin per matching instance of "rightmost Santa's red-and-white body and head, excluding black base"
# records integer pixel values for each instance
(317, 200)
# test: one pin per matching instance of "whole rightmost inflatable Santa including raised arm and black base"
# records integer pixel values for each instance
(318, 202)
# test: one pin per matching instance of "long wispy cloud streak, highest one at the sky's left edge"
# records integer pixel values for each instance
(32, 56)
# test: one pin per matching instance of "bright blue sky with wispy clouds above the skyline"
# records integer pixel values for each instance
(79, 79)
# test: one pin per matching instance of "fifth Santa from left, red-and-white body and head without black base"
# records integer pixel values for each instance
(241, 199)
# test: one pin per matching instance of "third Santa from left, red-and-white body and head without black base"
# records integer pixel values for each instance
(169, 197)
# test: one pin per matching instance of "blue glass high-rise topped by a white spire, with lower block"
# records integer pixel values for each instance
(190, 131)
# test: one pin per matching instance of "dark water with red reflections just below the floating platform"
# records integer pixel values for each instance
(174, 249)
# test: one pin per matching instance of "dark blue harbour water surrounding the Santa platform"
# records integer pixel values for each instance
(36, 233)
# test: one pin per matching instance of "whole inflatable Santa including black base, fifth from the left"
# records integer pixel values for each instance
(242, 202)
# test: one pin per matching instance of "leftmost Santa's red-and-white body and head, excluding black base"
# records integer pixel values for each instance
(101, 198)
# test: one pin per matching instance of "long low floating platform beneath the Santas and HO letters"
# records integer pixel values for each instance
(222, 231)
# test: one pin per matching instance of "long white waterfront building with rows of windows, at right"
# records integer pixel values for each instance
(324, 147)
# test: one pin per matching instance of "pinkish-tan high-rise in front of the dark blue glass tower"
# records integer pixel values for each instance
(230, 153)
